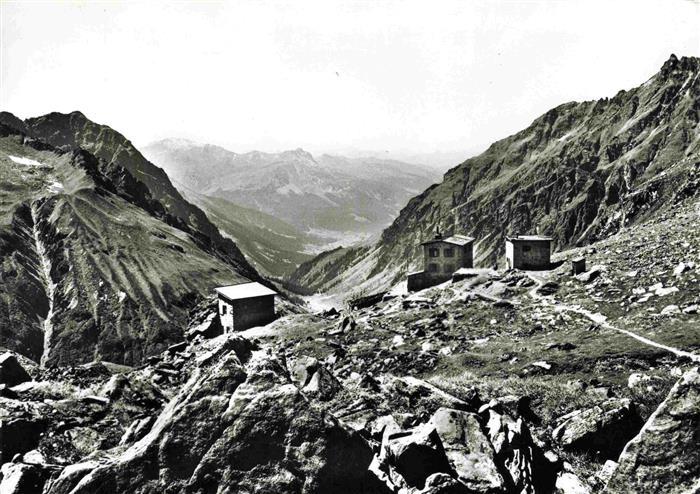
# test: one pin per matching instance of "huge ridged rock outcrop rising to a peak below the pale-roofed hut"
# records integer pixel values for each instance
(237, 425)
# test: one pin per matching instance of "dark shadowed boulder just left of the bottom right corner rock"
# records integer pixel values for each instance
(603, 429)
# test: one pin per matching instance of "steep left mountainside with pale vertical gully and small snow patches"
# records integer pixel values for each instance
(93, 266)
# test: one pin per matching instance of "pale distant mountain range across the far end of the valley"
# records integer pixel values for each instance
(331, 196)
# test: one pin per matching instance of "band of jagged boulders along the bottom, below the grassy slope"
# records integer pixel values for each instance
(230, 414)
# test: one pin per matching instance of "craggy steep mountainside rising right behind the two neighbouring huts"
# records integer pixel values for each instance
(579, 172)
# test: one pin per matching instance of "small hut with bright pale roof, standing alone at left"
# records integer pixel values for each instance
(245, 305)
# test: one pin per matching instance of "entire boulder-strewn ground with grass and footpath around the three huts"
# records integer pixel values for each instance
(494, 382)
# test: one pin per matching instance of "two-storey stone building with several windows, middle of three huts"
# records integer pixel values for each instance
(441, 258)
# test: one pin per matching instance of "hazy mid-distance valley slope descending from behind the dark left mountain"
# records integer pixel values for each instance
(273, 246)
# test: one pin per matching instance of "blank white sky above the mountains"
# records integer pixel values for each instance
(329, 75)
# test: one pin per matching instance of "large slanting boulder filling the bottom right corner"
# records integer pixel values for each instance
(665, 456)
